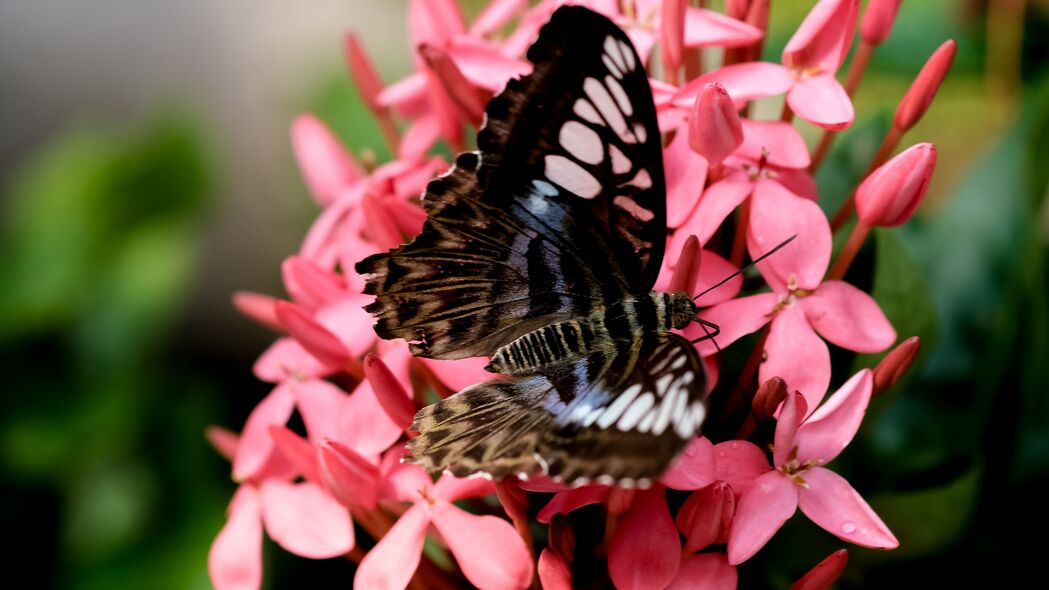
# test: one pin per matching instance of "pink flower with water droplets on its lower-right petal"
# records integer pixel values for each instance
(801, 481)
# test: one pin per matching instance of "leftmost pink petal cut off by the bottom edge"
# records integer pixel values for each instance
(236, 559)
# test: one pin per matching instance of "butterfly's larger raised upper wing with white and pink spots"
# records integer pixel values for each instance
(563, 212)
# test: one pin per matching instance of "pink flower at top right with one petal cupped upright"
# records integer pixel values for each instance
(810, 61)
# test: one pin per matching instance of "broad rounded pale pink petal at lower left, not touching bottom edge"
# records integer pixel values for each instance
(305, 520)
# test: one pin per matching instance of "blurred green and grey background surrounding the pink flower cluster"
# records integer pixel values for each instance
(146, 174)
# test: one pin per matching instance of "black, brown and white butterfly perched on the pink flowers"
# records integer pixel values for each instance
(541, 250)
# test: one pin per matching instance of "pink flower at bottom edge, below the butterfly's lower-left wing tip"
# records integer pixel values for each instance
(488, 551)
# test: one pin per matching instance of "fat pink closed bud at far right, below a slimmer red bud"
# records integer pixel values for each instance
(892, 194)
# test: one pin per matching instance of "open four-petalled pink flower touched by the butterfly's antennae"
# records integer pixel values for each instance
(802, 305)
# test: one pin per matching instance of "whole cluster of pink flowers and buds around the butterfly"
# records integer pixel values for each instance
(736, 184)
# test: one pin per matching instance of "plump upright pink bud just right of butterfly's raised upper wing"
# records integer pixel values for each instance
(715, 130)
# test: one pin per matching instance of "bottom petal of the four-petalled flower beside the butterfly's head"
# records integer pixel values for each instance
(797, 355)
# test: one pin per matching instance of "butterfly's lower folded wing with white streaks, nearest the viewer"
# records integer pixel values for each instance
(617, 418)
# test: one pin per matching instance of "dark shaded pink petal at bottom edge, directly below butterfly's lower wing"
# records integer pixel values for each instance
(646, 549)
